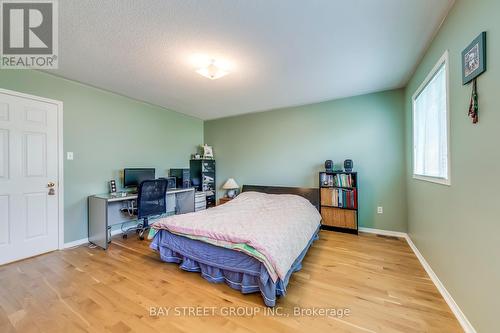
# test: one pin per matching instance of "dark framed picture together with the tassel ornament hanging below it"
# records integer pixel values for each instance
(473, 65)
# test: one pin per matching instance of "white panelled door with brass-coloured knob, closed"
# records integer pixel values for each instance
(28, 177)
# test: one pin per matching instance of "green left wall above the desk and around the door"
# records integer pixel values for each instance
(107, 132)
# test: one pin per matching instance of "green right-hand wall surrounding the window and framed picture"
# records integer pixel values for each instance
(457, 227)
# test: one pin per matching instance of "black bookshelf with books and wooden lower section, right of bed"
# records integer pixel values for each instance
(338, 193)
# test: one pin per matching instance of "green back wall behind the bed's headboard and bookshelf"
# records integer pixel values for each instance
(289, 146)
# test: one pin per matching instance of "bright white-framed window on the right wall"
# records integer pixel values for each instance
(430, 126)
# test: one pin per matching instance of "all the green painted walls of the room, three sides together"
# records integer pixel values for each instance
(455, 227)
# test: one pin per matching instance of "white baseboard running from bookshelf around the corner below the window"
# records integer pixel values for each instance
(462, 319)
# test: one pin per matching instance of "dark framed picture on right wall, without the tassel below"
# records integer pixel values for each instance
(474, 59)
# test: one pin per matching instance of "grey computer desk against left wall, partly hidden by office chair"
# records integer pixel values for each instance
(105, 211)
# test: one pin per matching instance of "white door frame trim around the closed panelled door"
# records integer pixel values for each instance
(60, 153)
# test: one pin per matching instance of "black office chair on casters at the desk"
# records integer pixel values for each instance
(151, 202)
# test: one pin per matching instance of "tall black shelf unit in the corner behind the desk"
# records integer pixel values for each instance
(203, 178)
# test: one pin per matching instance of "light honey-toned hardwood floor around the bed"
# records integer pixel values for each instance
(378, 279)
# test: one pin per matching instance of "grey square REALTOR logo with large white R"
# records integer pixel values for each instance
(29, 34)
